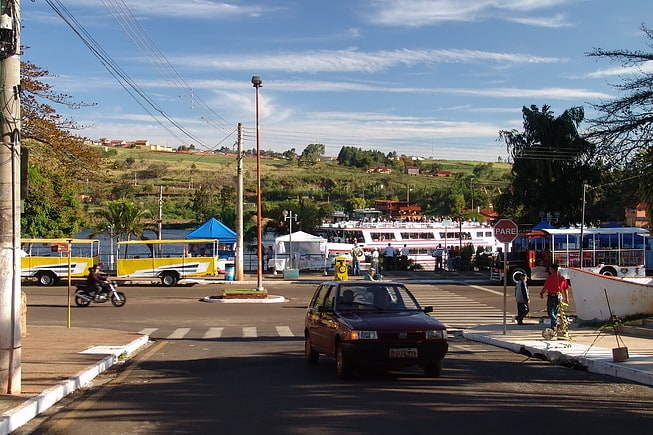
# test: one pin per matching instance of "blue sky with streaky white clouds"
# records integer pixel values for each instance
(426, 78)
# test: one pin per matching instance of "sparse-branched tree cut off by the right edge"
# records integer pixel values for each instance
(625, 127)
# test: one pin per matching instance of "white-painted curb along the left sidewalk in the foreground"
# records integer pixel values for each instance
(17, 417)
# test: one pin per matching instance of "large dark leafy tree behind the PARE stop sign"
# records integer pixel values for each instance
(551, 164)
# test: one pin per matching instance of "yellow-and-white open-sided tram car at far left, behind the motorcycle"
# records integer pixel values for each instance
(46, 260)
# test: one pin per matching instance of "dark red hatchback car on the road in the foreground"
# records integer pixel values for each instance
(372, 324)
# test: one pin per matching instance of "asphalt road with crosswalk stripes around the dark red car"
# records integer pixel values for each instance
(222, 368)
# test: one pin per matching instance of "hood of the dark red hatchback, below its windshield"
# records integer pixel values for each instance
(391, 321)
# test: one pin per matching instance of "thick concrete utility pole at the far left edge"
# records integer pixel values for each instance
(10, 291)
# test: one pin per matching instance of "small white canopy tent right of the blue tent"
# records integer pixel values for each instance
(308, 251)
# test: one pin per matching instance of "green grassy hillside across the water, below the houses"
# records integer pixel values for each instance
(141, 174)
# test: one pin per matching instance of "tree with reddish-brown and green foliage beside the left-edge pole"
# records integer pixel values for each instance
(58, 163)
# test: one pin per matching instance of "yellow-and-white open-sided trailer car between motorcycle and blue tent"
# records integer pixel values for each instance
(168, 260)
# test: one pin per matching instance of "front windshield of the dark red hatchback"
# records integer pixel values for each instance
(377, 297)
